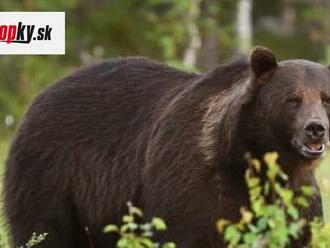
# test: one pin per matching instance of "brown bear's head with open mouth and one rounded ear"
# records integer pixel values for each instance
(291, 108)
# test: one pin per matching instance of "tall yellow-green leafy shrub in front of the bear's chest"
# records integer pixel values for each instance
(273, 219)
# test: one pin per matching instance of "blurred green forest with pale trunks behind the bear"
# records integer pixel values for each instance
(191, 34)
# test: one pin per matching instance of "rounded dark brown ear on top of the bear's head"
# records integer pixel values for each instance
(262, 61)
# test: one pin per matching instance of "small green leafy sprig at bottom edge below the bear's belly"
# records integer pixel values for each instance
(136, 235)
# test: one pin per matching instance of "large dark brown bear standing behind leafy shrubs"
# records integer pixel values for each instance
(171, 142)
